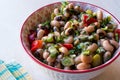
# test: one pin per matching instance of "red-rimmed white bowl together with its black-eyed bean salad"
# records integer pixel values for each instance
(71, 40)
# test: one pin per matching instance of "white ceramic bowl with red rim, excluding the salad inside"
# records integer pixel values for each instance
(42, 15)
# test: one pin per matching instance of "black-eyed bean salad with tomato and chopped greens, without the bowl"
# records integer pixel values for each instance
(74, 39)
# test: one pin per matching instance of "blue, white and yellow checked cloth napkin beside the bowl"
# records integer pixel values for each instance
(13, 71)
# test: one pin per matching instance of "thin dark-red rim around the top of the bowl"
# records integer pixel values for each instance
(69, 71)
